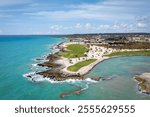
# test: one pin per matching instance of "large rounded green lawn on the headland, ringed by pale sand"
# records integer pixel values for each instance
(74, 51)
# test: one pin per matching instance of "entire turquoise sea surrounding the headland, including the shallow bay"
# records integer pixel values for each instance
(18, 56)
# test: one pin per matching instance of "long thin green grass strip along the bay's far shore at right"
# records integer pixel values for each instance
(131, 53)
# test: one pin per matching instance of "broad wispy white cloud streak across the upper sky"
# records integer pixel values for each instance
(110, 9)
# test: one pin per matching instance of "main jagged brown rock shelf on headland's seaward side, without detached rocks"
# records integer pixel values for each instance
(54, 71)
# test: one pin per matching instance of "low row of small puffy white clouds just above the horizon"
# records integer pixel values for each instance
(89, 27)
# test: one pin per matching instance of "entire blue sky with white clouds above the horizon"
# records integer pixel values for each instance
(24, 17)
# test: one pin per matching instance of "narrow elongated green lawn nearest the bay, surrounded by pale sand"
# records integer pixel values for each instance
(79, 65)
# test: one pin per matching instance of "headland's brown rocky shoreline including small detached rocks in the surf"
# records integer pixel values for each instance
(54, 71)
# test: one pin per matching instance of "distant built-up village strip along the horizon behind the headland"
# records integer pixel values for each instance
(112, 39)
